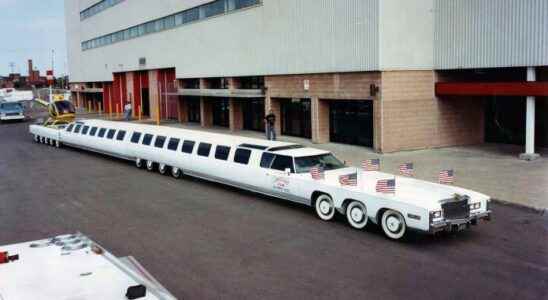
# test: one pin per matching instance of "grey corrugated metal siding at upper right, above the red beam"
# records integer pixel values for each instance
(490, 33)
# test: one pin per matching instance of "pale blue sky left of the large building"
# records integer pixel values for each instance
(31, 29)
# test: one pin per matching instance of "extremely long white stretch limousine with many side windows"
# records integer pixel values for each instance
(281, 170)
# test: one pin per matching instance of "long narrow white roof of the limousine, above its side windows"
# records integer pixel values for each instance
(201, 136)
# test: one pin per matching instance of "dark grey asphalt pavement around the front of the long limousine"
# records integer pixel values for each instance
(206, 241)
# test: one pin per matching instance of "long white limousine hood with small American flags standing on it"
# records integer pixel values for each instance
(409, 190)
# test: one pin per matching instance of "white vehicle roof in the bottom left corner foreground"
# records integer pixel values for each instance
(67, 267)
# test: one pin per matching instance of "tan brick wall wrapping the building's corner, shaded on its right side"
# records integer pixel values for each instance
(413, 118)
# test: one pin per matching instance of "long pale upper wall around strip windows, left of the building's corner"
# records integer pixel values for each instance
(277, 37)
